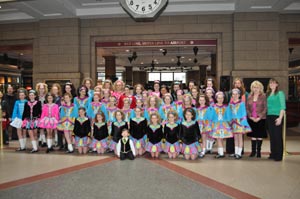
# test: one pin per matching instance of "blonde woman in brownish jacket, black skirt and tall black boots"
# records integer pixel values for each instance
(256, 112)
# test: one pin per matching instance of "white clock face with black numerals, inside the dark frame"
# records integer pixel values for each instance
(143, 7)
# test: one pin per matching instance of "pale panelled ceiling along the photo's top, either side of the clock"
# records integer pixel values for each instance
(35, 10)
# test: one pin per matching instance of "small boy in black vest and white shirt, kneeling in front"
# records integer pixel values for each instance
(125, 146)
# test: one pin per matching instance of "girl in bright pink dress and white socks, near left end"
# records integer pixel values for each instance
(49, 119)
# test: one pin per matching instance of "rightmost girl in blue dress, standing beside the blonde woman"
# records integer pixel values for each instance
(239, 123)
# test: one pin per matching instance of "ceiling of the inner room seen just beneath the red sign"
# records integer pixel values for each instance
(169, 61)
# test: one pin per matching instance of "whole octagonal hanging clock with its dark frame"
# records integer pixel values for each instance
(144, 10)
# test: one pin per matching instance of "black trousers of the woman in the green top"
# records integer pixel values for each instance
(276, 141)
